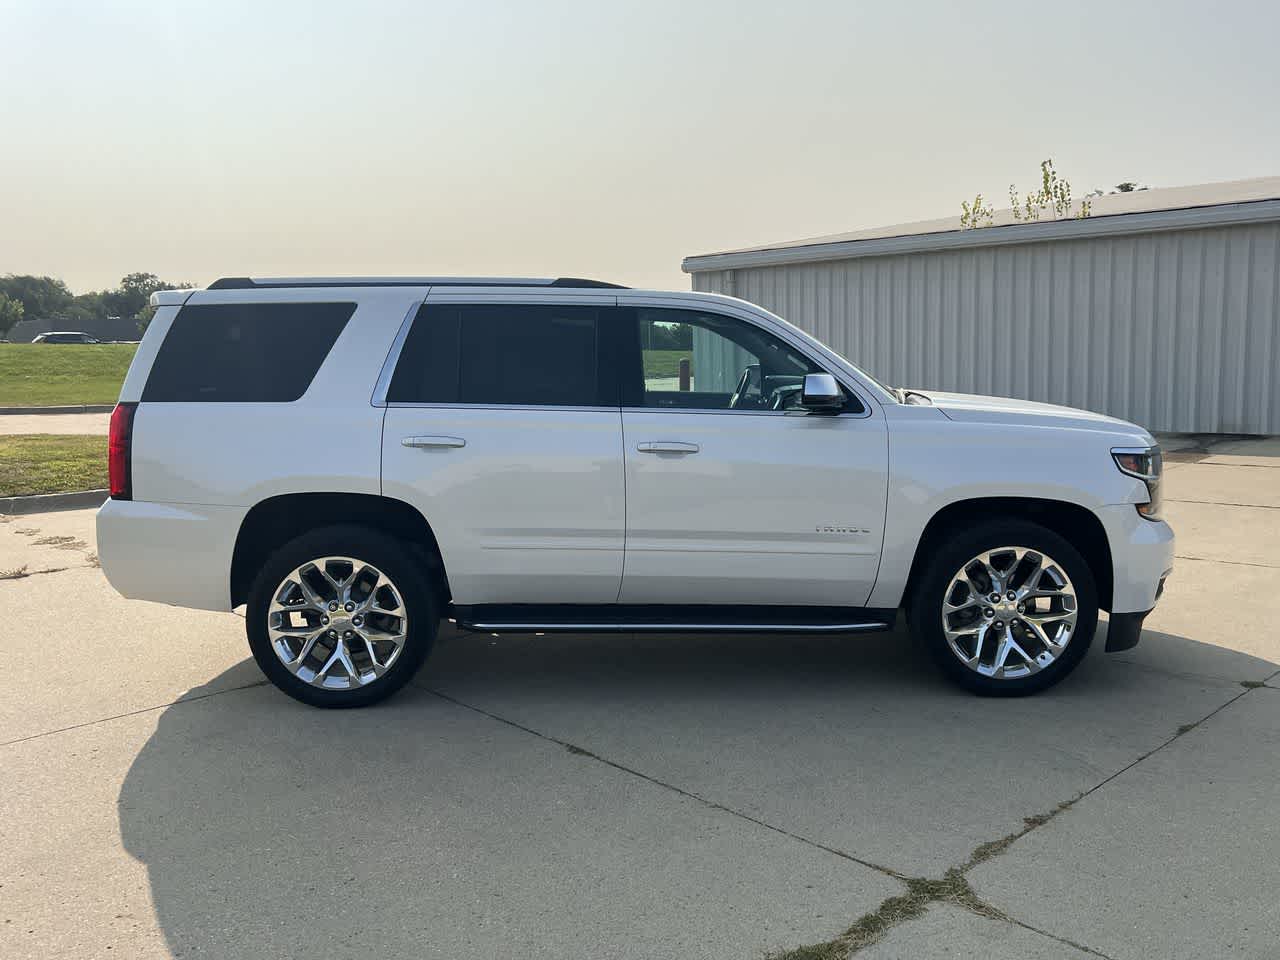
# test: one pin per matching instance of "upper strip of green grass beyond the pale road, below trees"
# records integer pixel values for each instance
(62, 374)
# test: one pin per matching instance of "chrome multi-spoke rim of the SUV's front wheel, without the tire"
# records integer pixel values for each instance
(1009, 612)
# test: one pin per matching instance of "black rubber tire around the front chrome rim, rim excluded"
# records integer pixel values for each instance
(926, 605)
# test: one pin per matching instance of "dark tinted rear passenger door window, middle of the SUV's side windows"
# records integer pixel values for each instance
(528, 355)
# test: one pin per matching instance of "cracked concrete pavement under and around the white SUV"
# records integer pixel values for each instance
(648, 798)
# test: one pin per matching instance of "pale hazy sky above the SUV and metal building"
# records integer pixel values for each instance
(607, 140)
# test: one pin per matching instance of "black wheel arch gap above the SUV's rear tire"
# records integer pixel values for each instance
(277, 520)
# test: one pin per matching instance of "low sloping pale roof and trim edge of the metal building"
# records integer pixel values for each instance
(1159, 209)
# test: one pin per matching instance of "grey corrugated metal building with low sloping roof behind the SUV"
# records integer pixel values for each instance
(1162, 308)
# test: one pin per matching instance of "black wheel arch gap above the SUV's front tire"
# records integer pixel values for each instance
(1076, 524)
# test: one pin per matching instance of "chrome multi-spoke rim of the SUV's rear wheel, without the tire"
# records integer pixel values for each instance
(337, 623)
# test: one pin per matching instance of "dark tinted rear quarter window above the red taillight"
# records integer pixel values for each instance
(245, 353)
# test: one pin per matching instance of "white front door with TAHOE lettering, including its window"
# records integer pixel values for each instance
(735, 493)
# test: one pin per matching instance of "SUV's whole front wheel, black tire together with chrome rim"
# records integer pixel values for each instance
(1007, 609)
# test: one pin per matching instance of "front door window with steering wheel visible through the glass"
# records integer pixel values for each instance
(710, 362)
